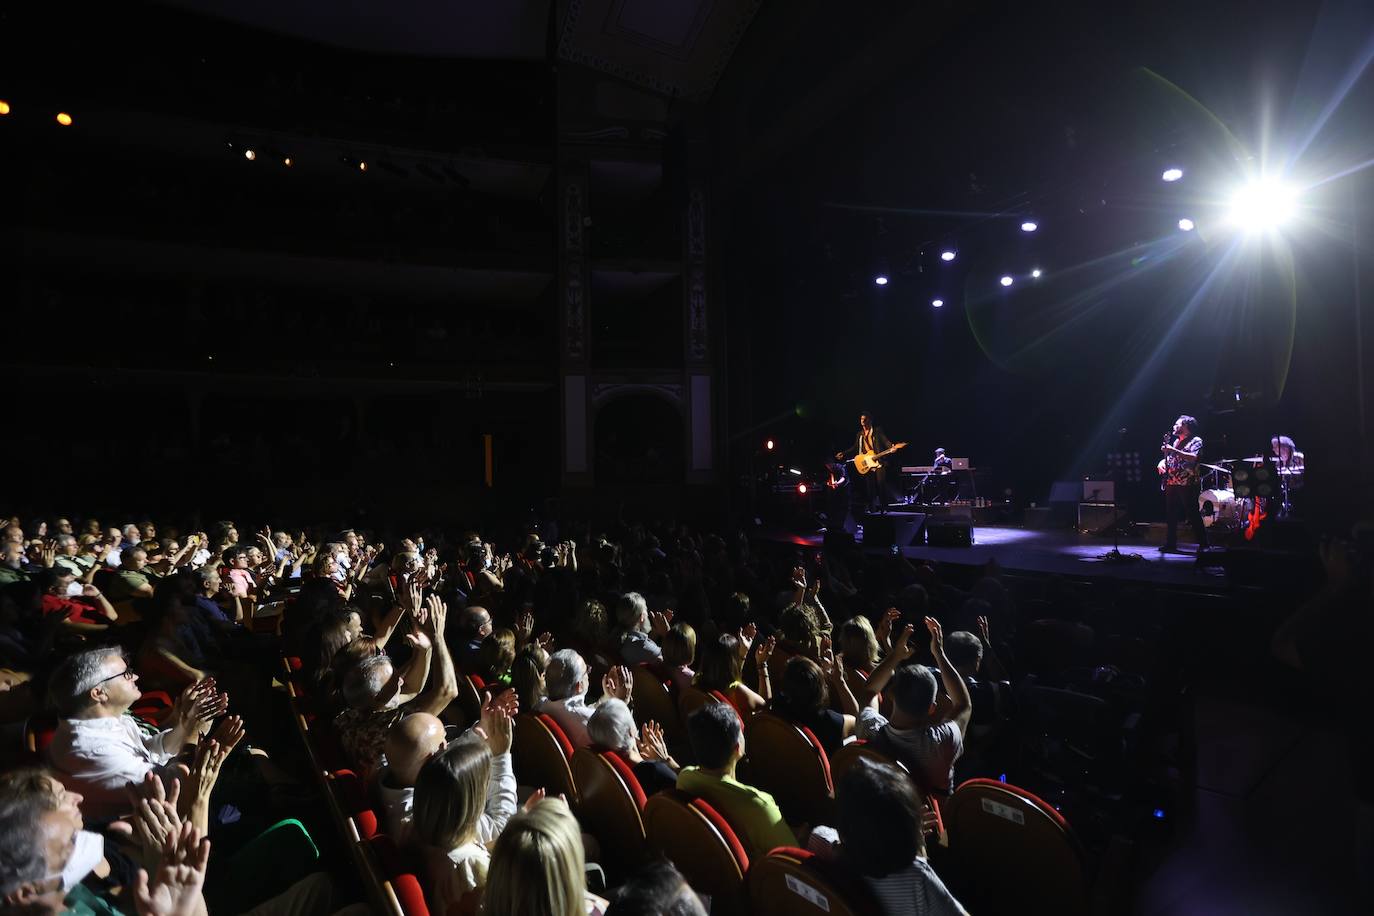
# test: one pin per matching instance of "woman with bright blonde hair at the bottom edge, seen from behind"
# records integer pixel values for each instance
(539, 867)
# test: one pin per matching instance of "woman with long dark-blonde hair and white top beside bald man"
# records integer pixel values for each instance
(453, 793)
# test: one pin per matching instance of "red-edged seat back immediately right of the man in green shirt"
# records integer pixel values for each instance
(788, 762)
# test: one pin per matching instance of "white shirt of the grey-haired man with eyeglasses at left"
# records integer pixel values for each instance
(101, 756)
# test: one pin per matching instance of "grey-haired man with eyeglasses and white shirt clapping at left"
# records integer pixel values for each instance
(100, 746)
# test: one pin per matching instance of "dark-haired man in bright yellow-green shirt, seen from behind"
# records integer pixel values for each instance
(718, 741)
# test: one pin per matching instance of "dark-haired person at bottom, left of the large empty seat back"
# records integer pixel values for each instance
(881, 840)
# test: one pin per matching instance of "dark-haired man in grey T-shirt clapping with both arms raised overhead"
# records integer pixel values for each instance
(923, 735)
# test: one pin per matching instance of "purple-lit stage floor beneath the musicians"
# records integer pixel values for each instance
(1056, 553)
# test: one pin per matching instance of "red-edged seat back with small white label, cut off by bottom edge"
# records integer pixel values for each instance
(792, 881)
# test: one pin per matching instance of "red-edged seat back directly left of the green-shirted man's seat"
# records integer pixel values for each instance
(611, 808)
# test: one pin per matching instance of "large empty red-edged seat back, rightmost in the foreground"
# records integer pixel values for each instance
(1002, 830)
